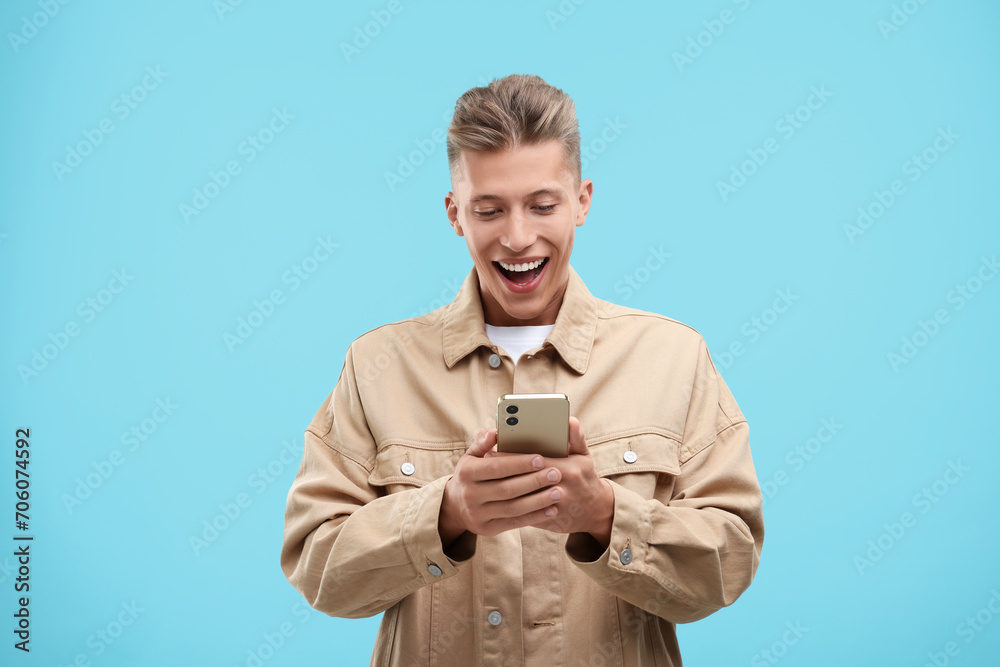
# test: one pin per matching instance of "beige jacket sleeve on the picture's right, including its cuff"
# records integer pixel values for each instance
(696, 545)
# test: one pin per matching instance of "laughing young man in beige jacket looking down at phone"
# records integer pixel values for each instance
(401, 503)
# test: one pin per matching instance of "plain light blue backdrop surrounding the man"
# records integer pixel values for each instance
(683, 128)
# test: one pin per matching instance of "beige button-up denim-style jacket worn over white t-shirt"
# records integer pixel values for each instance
(361, 524)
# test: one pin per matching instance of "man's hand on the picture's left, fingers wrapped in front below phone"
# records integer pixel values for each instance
(490, 495)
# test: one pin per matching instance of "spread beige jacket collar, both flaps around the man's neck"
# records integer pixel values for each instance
(572, 336)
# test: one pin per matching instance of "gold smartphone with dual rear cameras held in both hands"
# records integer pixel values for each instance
(533, 424)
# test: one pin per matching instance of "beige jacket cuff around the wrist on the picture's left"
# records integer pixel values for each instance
(421, 538)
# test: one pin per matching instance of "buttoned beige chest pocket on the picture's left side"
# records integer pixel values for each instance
(400, 466)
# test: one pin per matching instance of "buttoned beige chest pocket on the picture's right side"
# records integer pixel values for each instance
(639, 462)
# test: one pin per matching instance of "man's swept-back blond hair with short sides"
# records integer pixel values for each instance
(519, 109)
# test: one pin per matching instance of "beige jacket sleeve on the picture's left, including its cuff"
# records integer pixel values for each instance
(351, 550)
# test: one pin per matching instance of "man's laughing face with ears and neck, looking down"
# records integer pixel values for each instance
(518, 210)
